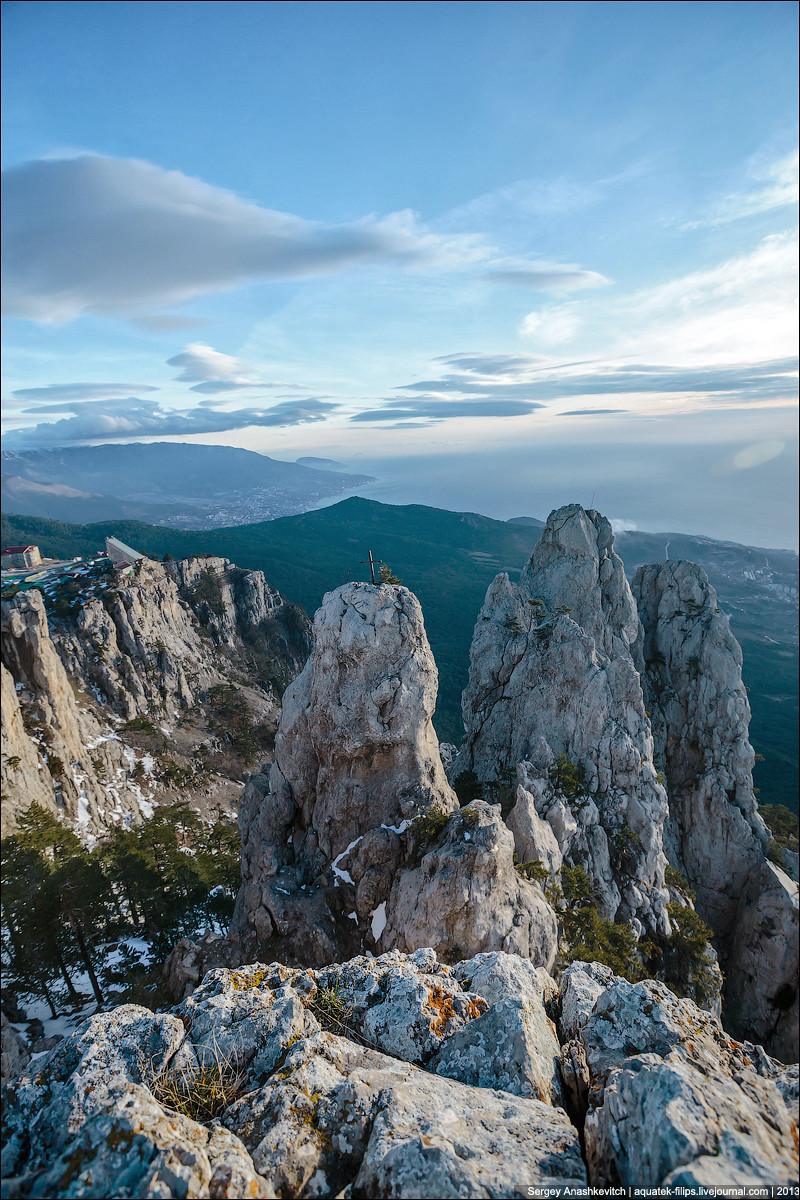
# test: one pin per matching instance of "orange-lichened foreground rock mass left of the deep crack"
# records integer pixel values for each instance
(317, 1112)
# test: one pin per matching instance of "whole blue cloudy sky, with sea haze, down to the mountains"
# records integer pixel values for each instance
(500, 255)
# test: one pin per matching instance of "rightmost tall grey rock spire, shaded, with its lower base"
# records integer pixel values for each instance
(693, 669)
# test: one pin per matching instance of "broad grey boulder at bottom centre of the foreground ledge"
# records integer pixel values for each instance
(341, 1117)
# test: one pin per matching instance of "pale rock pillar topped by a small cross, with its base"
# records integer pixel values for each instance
(356, 842)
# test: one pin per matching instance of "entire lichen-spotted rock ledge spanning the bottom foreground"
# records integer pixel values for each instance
(400, 1077)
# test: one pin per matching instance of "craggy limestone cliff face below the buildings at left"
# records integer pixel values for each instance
(149, 647)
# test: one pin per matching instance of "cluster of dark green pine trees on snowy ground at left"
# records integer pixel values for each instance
(64, 904)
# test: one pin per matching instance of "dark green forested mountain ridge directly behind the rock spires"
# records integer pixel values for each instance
(450, 559)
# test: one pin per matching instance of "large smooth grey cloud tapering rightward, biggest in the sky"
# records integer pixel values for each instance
(117, 236)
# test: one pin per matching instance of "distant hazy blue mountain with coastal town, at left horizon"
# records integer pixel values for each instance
(167, 484)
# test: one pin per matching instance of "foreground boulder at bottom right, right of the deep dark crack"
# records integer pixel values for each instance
(673, 1101)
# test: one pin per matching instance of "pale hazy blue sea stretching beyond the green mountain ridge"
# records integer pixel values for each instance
(691, 489)
